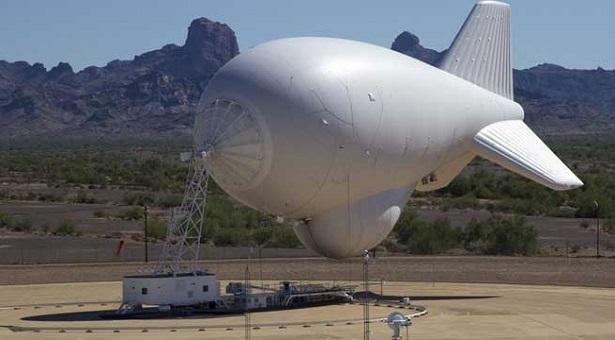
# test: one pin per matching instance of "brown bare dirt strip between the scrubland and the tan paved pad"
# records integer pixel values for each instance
(469, 269)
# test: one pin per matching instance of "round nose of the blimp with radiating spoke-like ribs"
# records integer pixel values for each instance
(236, 142)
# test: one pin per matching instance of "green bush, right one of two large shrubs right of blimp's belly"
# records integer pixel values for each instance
(499, 235)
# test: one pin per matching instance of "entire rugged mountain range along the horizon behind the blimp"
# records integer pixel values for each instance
(156, 92)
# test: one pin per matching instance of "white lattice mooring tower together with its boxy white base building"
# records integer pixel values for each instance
(176, 279)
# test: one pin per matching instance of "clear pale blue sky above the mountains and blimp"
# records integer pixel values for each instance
(575, 34)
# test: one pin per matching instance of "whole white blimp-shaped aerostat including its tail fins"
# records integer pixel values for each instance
(338, 133)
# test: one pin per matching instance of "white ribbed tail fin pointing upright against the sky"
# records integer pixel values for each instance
(481, 51)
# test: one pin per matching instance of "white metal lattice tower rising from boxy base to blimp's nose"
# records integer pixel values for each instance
(180, 252)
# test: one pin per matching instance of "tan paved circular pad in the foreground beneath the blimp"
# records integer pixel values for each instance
(456, 311)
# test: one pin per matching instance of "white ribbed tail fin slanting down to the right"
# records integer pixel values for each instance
(514, 146)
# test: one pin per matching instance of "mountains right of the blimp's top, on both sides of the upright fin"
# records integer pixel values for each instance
(555, 99)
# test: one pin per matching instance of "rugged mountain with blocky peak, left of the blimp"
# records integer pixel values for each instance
(156, 92)
